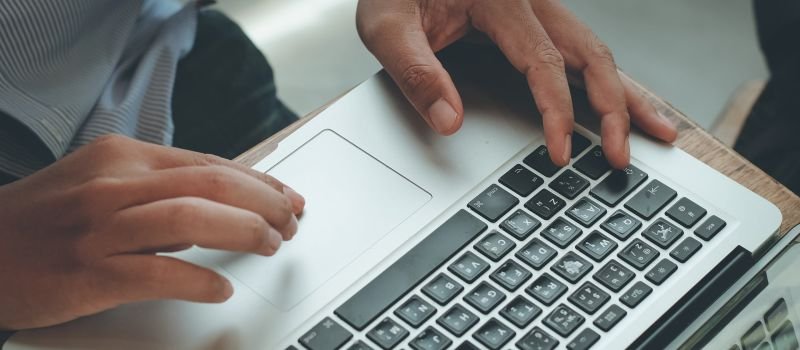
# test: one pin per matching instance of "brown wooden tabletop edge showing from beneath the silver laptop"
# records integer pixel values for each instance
(692, 139)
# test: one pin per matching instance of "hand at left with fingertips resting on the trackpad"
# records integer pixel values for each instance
(82, 235)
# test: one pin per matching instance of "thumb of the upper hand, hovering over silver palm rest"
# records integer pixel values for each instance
(402, 47)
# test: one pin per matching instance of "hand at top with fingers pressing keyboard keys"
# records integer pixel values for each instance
(541, 38)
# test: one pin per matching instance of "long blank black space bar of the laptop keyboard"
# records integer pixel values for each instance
(408, 271)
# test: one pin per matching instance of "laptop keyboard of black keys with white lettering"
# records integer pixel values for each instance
(545, 257)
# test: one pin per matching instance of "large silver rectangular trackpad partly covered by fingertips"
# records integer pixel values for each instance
(352, 201)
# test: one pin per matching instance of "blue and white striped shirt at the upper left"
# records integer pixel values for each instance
(73, 70)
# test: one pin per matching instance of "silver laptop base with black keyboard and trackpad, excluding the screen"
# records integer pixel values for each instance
(411, 240)
